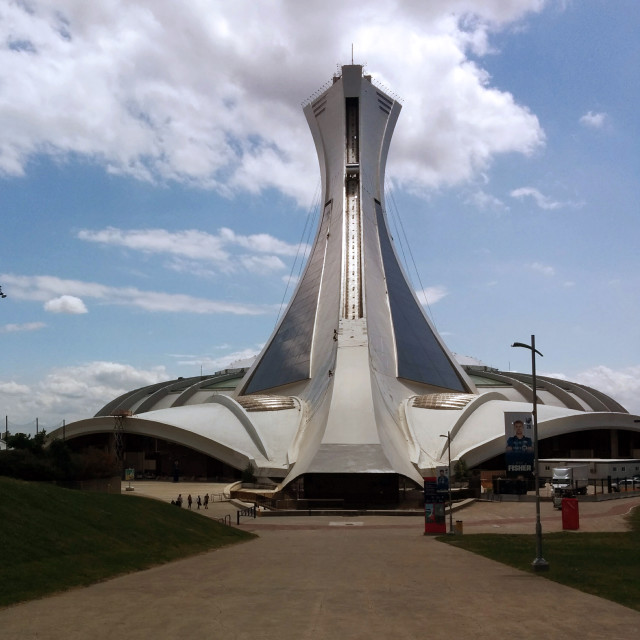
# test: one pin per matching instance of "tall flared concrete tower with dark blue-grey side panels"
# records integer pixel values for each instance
(354, 341)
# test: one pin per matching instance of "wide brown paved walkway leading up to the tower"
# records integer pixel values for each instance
(321, 578)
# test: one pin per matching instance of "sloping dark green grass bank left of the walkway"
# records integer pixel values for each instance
(53, 539)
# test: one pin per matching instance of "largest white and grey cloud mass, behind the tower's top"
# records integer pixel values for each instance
(181, 92)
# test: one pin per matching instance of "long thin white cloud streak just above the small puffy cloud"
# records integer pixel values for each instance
(42, 288)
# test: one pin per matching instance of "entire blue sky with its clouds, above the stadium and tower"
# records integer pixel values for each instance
(157, 173)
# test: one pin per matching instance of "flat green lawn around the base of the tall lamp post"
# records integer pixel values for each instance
(604, 564)
